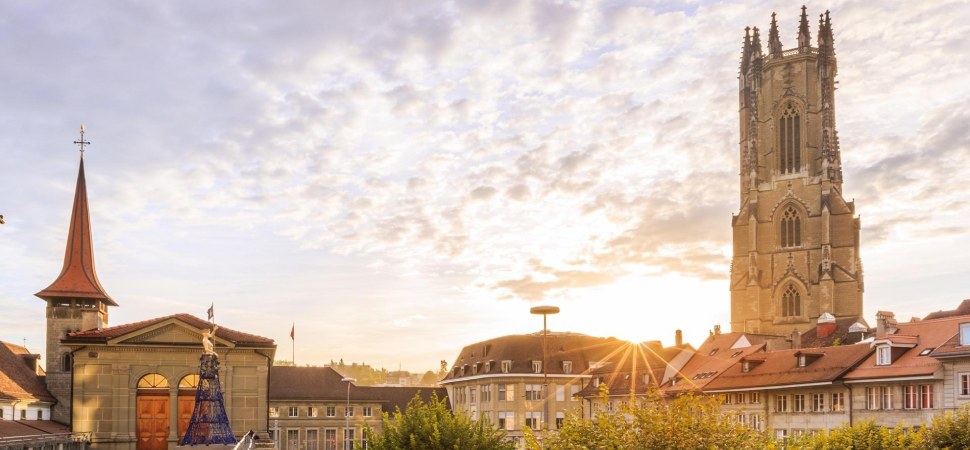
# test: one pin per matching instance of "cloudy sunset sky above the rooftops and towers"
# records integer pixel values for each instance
(398, 179)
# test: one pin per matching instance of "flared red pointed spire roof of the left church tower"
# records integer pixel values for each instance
(78, 278)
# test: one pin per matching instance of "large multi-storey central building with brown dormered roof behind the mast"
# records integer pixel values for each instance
(501, 379)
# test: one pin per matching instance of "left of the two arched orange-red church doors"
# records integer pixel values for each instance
(153, 412)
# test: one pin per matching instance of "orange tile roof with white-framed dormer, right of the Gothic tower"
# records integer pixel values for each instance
(929, 334)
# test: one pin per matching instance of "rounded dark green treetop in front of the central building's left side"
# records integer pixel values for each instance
(431, 426)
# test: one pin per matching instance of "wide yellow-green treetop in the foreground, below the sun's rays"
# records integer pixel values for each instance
(685, 422)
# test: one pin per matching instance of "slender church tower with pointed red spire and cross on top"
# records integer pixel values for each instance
(75, 300)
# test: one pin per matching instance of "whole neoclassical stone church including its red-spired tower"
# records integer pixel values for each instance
(132, 386)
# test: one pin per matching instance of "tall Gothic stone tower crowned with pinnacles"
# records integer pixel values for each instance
(796, 238)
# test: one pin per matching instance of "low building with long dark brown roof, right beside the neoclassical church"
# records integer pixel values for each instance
(313, 407)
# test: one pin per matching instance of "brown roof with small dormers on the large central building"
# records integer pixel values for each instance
(522, 349)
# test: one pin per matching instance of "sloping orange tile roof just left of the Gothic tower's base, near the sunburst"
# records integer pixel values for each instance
(713, 357)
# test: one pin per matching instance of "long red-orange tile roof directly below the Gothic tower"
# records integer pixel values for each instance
(780, 368)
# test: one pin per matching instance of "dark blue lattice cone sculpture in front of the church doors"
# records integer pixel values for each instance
(209, 423)
